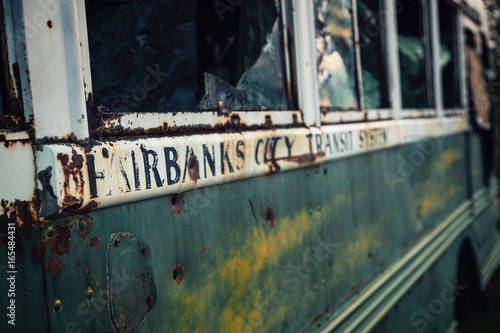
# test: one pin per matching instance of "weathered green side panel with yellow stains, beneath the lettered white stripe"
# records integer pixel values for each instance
(272, 253)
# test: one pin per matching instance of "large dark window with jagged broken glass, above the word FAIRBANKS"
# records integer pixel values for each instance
(187, 55)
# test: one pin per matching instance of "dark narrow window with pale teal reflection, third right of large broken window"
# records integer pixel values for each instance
(414, 60)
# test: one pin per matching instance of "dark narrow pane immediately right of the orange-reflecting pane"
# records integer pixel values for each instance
(371, 47)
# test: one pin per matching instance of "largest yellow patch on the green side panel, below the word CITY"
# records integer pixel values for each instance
(247, 274)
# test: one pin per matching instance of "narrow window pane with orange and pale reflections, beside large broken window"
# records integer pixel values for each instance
(335, 54)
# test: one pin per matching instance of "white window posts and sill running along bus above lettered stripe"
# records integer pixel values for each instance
(83, 123)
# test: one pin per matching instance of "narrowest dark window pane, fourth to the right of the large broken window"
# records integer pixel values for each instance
(448, 62)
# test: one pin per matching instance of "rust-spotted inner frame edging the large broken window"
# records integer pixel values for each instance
(114, 124)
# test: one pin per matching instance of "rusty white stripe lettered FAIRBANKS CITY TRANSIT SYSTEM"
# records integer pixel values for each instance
(120, 171)
